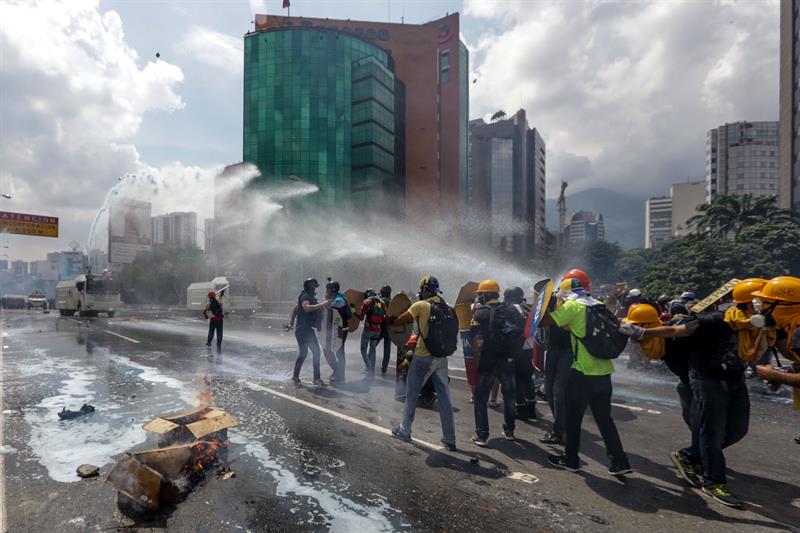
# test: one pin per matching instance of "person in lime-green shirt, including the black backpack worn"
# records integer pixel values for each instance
(590, 326)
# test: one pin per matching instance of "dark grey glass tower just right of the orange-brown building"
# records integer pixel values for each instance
(506, 185)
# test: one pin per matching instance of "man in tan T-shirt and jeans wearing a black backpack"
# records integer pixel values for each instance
(437, 338)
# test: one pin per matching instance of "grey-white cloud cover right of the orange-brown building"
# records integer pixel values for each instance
(628, 89)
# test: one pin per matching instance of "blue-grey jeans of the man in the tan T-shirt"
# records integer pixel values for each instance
(422, 368)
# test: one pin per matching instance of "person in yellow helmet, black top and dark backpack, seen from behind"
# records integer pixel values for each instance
(498, 329)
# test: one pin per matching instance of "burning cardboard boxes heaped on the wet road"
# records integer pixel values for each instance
(189, 444)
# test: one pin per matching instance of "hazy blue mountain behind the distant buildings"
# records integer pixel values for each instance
(623, 213)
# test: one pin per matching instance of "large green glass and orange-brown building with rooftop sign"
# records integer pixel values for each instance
(368, 111)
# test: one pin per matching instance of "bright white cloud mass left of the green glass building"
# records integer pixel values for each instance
(74, 93)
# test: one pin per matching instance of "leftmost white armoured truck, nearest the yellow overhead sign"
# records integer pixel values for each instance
(88, 295)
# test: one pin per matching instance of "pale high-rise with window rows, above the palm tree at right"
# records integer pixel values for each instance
(742, 158)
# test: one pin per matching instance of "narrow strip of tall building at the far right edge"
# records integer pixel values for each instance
(789, 106)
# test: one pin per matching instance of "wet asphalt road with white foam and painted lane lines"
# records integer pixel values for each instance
(318, 460)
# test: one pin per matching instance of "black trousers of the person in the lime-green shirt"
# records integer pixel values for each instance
(593, 392)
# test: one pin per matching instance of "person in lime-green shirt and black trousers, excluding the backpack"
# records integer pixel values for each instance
(589, 383)
